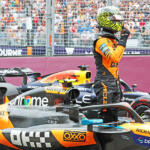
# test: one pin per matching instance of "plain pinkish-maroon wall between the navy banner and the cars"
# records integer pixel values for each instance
(133, 69)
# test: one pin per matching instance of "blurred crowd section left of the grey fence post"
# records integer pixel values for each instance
(20, 19)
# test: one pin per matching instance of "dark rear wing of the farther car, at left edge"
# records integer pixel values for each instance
(19, 72)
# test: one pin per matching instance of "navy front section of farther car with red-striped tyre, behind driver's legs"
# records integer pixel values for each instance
(140, 101)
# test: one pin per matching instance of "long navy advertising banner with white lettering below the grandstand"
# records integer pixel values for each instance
(16, 51)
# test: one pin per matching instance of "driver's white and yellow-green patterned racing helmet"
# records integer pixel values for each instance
(110, 18)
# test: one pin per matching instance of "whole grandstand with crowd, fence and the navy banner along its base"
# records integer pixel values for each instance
(24, 25)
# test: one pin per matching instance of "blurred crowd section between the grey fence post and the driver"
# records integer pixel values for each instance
(80, 22)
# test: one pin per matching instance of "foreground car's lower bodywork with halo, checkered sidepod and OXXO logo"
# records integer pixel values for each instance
(67, 127)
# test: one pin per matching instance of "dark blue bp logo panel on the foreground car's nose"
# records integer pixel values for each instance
(141, 140)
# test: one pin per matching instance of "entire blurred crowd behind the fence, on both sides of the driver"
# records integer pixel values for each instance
(75, 21)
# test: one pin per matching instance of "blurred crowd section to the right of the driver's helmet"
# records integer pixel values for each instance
(137, 18)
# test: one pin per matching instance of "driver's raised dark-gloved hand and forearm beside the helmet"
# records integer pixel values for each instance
(124, 36)
